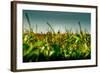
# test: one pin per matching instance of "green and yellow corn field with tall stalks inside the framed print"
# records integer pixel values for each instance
(56, 46)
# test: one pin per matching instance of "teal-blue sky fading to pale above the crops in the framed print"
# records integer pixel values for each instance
(58, 20)
